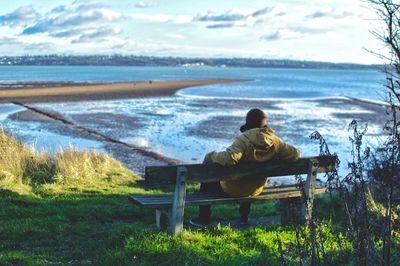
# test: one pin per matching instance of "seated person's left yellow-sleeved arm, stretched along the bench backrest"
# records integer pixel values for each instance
(230, 156)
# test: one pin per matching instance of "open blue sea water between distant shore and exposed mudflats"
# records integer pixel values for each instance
(266, 83)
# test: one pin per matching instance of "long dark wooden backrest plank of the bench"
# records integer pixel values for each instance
(166, 175)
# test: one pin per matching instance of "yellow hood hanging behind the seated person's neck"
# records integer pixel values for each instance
(260, 138)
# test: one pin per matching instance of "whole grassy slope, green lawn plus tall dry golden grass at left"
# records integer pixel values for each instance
(73, 209)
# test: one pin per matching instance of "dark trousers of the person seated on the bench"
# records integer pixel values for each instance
(215, 187)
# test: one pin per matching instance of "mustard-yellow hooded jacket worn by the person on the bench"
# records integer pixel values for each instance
(255, 145)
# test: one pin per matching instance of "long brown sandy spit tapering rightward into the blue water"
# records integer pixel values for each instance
(36, 92)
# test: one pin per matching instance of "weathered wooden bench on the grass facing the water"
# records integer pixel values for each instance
(170, 207)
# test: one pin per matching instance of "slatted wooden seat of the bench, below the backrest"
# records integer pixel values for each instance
(198, 198)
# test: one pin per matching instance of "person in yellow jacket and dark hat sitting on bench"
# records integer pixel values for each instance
(257, 143)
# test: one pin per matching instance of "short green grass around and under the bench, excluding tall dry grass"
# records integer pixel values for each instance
(100, 226)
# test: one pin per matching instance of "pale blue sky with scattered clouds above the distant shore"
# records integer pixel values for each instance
(324, 30)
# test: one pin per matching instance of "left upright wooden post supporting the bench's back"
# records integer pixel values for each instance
(178, 204)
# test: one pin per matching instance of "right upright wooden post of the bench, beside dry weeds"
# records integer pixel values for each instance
(309, 188)
